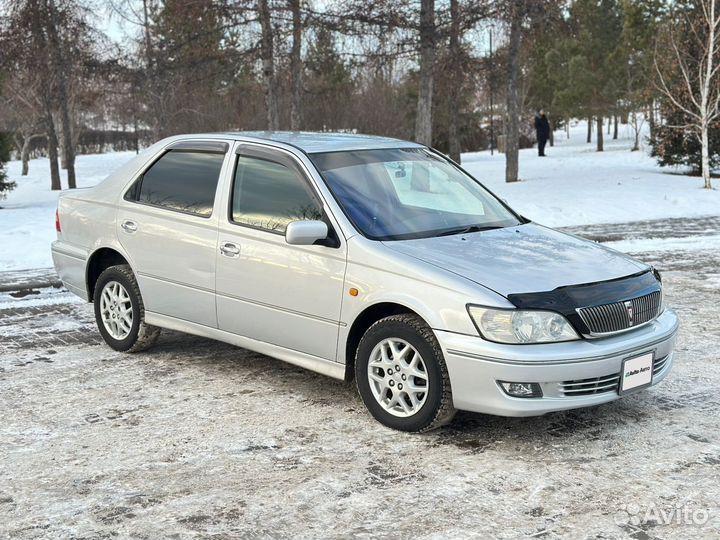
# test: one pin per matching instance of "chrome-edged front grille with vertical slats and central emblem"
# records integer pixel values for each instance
(619, 316)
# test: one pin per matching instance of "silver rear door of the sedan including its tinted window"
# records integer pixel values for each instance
(167, 223)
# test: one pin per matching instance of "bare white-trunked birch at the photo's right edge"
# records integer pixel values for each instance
(690, 82)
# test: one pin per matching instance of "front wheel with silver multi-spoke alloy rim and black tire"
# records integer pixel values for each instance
(415, 398)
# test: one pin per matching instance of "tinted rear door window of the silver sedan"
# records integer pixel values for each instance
(181, 180)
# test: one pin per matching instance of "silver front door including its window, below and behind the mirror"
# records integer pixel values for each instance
(268, 290)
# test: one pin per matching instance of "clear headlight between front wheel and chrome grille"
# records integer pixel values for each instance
(519, 326)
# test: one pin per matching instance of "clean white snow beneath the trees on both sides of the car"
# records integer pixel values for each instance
(573, 186)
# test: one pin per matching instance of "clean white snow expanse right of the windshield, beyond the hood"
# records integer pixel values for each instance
(575, 185)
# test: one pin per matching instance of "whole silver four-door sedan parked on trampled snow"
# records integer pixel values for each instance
(367, 258)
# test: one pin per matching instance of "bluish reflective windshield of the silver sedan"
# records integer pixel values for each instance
(396, 194)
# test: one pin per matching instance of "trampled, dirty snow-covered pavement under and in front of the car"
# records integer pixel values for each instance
(198, 439)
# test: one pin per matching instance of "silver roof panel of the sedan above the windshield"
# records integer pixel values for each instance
(313, 143)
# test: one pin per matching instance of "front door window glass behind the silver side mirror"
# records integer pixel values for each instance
(268, 195)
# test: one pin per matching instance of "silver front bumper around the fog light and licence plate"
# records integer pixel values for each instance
(571, 374)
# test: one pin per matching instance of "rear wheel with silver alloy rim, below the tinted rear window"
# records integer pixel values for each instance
(122, 307)
